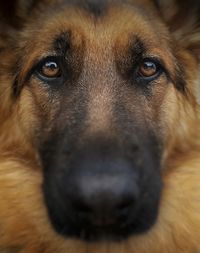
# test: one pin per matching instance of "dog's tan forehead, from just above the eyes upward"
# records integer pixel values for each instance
(111, 32)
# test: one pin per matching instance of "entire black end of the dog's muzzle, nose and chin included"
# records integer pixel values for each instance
(100, 193)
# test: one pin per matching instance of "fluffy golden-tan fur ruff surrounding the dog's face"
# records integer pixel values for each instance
(24, 223)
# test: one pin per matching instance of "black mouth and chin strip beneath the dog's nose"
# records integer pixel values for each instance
(113, 232)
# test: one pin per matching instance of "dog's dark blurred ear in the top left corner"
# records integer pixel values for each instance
(13, 12)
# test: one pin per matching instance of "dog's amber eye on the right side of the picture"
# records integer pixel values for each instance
(148, 69)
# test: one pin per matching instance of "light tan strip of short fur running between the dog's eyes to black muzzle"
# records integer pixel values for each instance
(101, 78)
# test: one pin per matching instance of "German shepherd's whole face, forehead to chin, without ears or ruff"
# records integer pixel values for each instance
(99, 80)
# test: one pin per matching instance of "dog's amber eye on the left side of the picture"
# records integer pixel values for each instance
(50, 69)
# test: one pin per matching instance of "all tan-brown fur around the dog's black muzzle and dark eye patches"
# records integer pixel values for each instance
(24, 223)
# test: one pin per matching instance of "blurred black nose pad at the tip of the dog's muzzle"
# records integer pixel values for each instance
(103, 193)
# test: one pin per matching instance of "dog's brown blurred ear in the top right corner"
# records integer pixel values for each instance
(183, 20)
